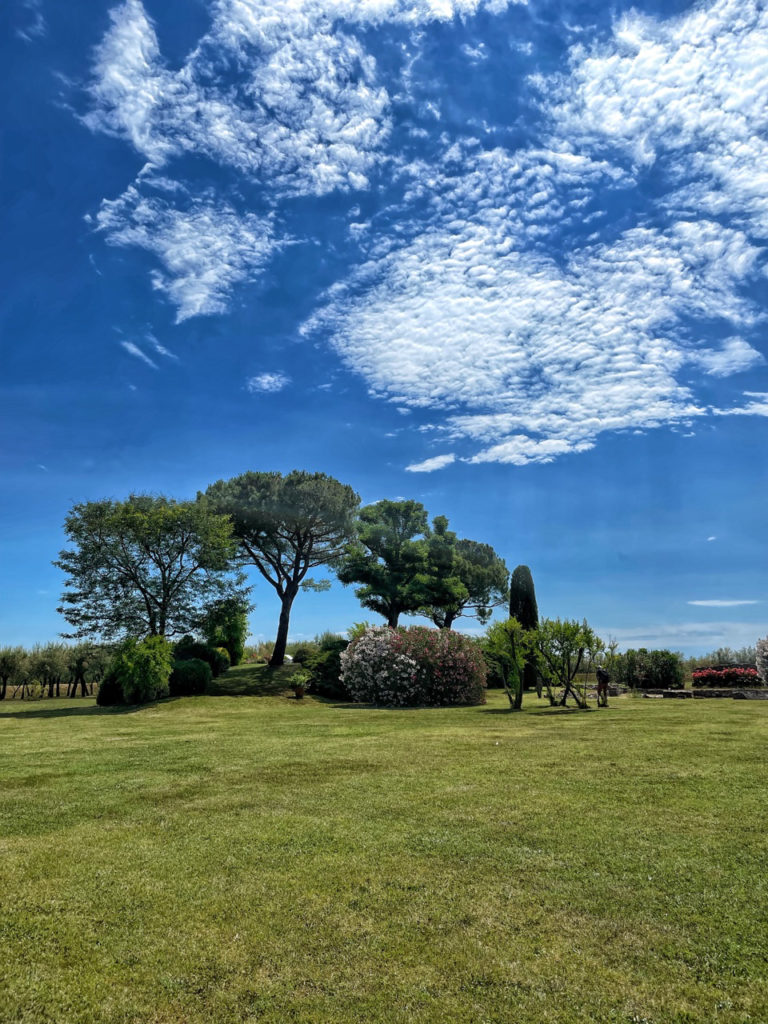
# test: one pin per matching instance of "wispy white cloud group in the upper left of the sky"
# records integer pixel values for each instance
(276, 91)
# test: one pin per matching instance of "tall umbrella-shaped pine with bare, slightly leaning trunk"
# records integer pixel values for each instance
(286, 527)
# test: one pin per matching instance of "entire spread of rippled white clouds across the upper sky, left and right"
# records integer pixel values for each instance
(531, 290)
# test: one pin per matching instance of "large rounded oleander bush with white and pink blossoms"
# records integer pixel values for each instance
(417, 666)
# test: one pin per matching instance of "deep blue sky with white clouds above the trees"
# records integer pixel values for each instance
(507, 259)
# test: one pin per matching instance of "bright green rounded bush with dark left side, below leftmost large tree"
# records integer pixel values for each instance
(139, 673)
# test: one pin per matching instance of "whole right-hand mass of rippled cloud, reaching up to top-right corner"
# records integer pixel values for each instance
(532, 348)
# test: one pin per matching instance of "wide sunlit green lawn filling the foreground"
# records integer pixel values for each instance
(247, 859)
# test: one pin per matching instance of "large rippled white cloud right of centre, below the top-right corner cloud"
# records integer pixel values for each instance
(536, 357)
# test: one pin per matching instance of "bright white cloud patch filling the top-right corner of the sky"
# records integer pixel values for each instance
(690, 91)
